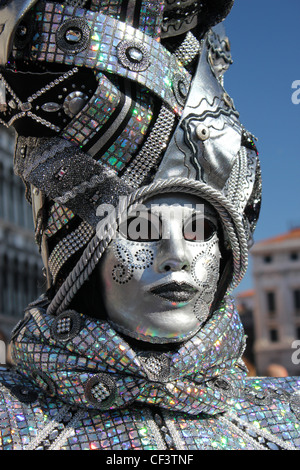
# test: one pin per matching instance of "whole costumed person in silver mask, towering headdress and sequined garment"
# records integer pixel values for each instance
(146, 192)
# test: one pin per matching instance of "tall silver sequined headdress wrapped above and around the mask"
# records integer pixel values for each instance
(121, 98)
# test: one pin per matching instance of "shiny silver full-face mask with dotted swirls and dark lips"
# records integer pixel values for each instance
(159, 276)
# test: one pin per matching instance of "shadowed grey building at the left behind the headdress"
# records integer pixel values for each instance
(20, 265)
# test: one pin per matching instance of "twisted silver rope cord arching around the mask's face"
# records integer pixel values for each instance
(96, 247)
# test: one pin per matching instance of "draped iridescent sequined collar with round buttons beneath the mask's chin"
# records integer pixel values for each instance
(84, 362)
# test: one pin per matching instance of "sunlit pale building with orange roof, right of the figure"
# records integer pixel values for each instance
(276, 308)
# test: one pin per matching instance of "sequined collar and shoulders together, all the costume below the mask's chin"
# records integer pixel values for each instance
(80, 386)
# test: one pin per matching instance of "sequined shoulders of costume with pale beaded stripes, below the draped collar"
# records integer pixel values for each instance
(30, 420)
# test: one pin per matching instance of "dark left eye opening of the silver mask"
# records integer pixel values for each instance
(145, 227)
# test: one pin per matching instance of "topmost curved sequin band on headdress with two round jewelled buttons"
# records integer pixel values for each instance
(102, 38)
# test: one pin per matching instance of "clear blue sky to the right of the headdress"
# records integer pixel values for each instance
(265, 45)
